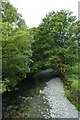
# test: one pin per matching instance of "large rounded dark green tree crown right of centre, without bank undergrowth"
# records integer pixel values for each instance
(55, 44)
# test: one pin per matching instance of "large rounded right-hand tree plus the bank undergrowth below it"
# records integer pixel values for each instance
(56, 46)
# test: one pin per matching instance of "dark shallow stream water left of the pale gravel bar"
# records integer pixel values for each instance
(28, 102)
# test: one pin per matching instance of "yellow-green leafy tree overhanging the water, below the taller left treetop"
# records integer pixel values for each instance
(16, 53)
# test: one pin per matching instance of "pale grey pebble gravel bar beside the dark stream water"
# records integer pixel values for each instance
(60, 105)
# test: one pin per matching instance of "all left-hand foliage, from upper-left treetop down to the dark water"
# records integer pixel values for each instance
(16, 47)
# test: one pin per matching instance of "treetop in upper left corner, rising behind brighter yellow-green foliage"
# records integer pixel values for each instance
(10, 15)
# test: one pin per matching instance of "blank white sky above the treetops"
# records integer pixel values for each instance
(35, 10)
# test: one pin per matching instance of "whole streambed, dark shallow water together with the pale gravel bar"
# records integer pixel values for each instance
(38, 100)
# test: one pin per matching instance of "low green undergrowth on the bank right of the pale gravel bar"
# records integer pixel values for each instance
(72, 92)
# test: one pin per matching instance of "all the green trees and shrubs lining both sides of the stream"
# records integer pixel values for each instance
(53, 44)
